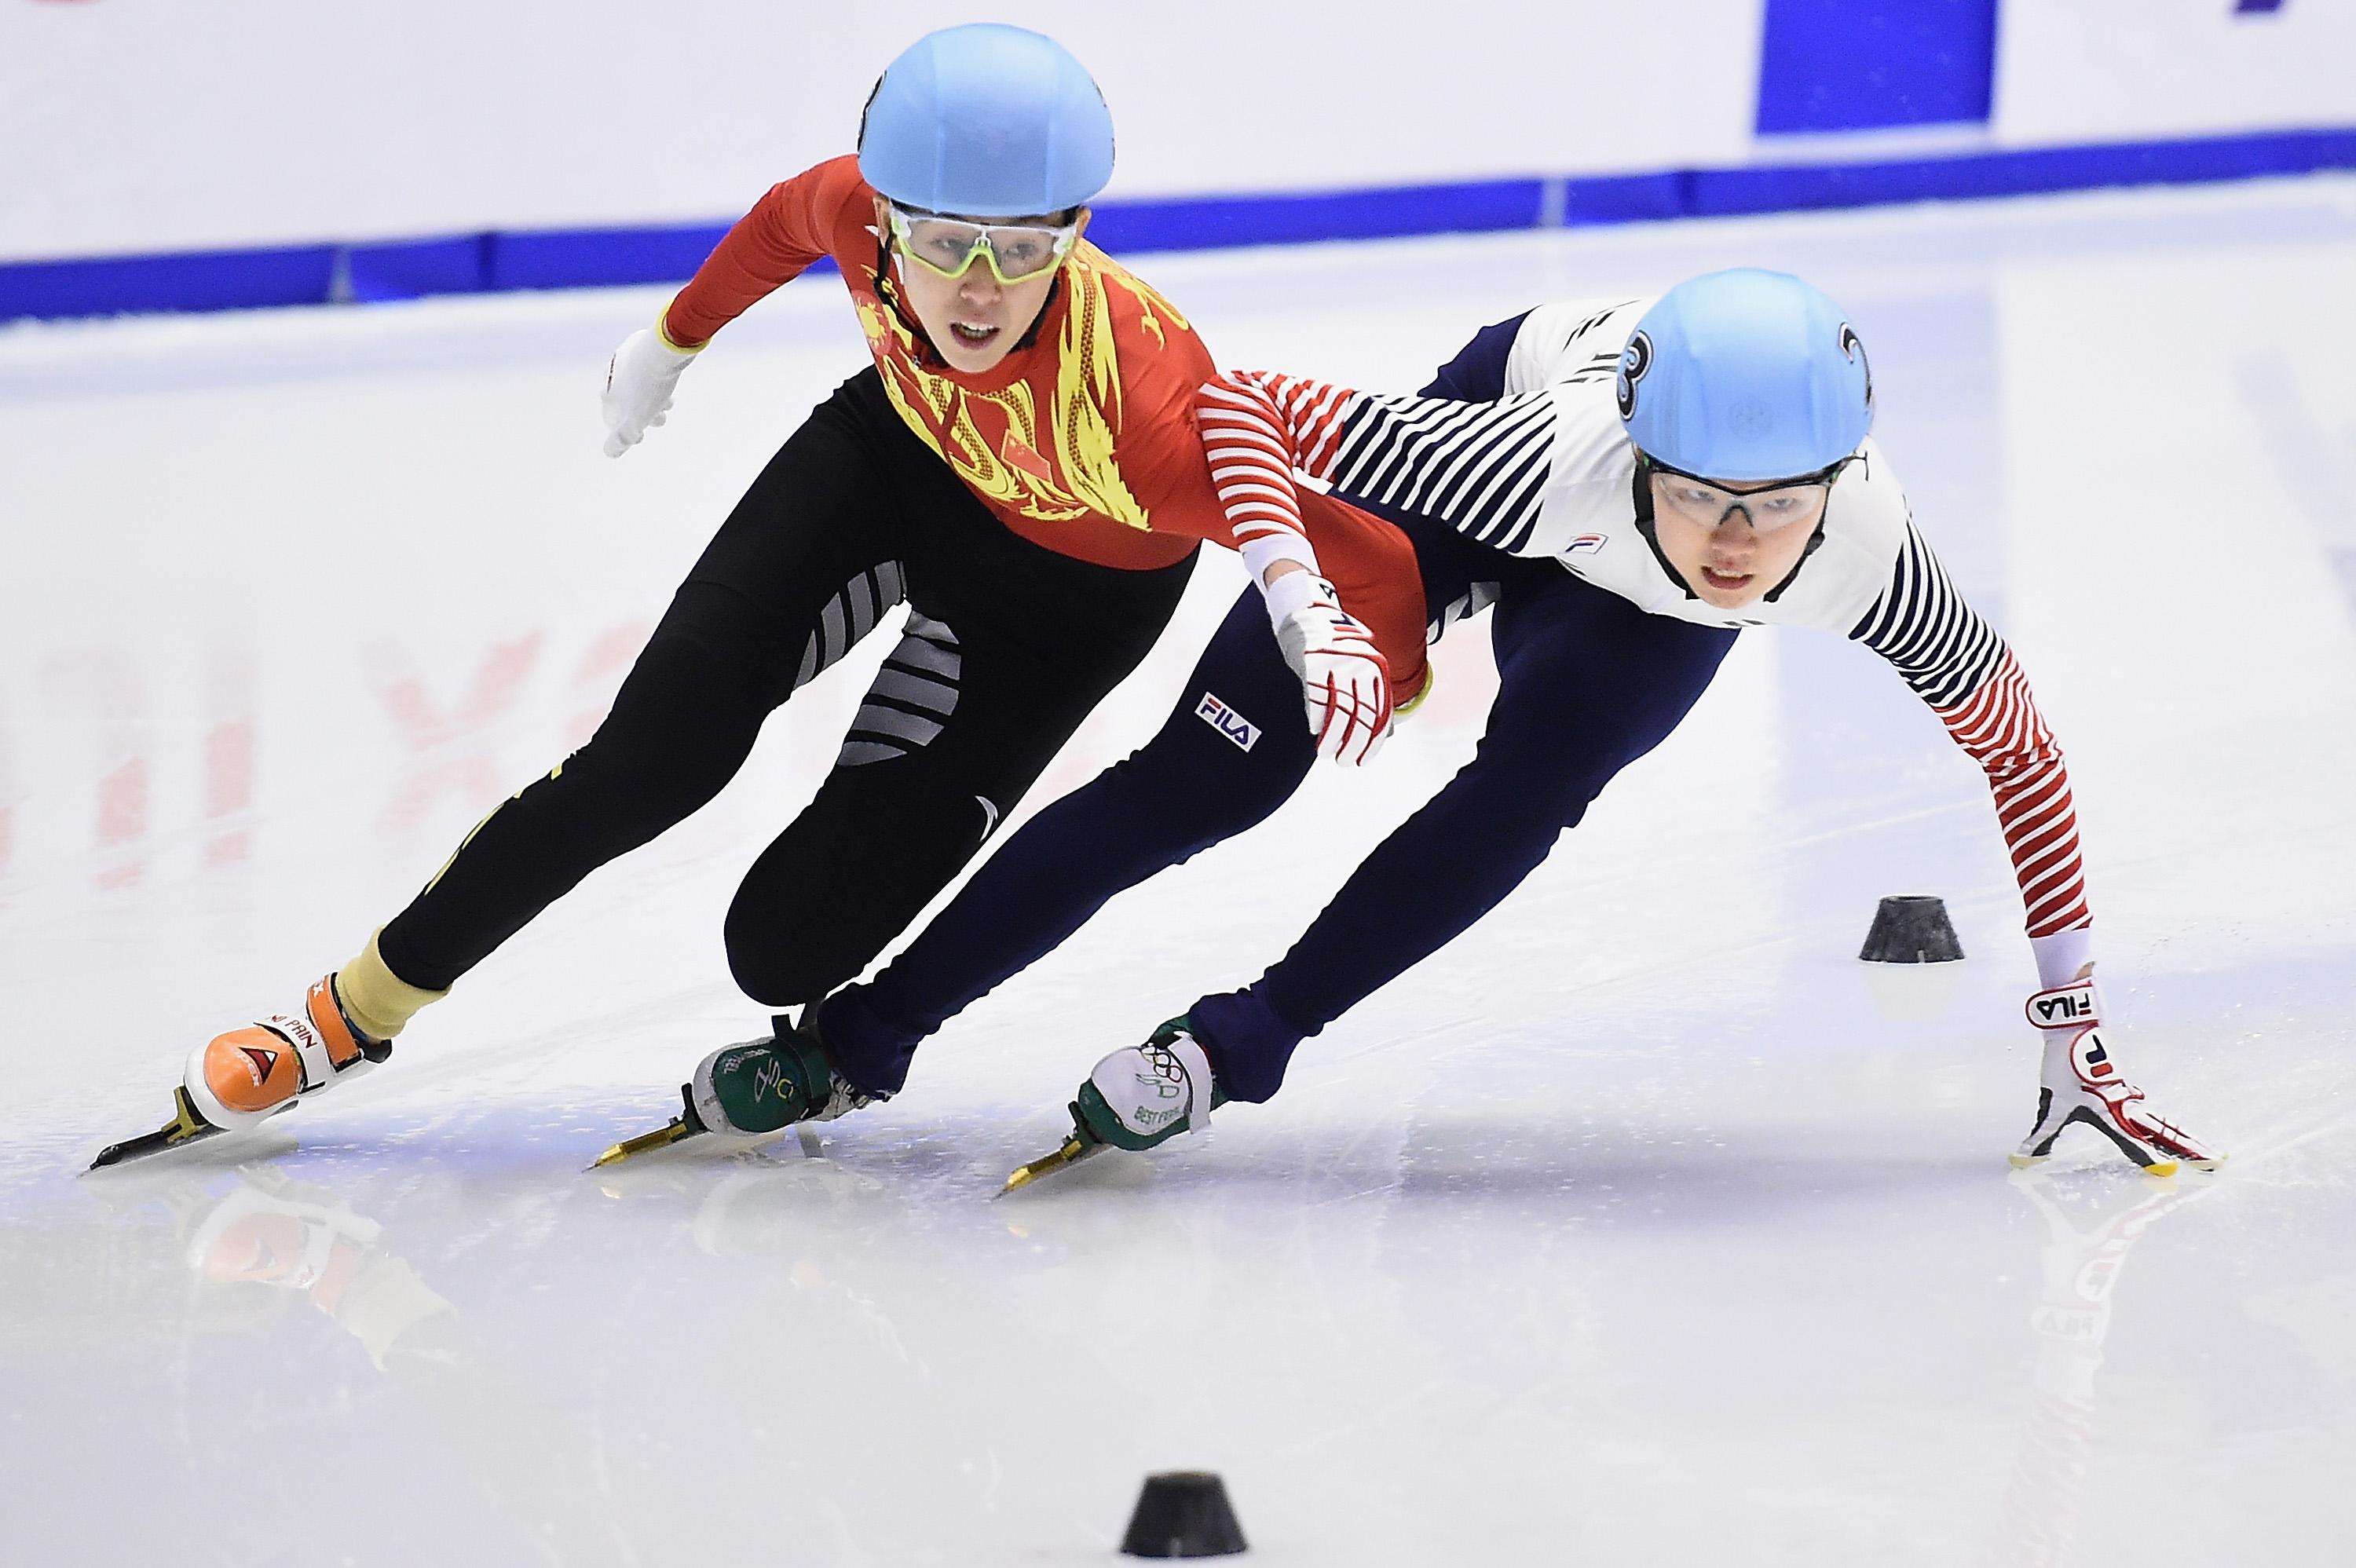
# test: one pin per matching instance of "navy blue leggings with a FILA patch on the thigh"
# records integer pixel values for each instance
(1587, 684)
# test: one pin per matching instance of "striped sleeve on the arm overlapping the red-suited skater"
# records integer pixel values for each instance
(1478, 467)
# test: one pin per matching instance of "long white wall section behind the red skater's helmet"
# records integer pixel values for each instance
(140, 126)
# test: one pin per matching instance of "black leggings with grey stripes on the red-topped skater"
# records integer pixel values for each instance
(1007, 649)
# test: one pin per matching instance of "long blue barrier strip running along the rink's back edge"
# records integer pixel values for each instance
(668, 253)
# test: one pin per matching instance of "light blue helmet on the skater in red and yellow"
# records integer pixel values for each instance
(986, 121)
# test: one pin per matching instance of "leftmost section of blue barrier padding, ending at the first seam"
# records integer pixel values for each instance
(209, 281)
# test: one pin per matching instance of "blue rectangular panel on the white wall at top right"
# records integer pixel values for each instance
(1867, 65)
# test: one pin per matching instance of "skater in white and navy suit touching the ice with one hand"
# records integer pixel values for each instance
(1629, 484)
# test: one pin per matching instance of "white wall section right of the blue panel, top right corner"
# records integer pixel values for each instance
(2150, 69)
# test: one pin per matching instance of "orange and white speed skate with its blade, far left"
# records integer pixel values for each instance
(249, 1075)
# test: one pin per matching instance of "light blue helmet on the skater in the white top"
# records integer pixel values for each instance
(1745, 376)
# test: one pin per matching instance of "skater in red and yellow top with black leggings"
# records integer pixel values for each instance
(1021, 467)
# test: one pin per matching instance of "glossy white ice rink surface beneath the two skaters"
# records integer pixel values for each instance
(1643, 1225)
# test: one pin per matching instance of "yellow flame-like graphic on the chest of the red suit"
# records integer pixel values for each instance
(1083, 420)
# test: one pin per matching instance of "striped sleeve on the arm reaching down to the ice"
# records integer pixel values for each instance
(1976, 686)
